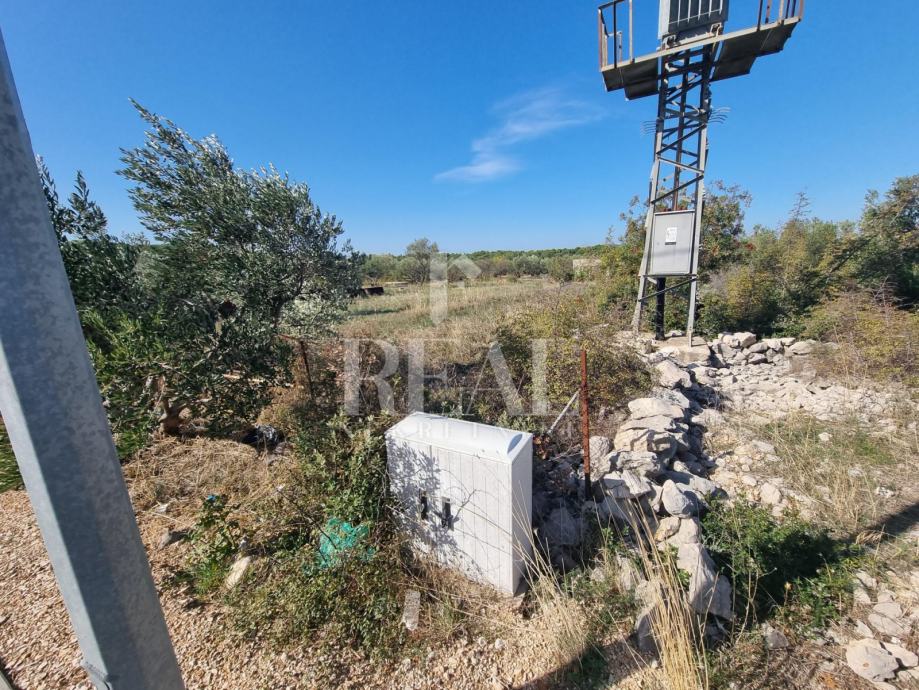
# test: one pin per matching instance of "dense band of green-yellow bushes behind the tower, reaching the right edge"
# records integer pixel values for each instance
(768, 280)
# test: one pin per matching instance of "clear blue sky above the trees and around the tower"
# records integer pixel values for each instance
(481, 125)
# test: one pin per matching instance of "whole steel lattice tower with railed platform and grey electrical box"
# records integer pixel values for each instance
(694, 51)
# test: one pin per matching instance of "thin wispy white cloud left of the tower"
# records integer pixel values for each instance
(525, 117)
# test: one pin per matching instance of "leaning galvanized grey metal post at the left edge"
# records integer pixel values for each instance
(59, 433)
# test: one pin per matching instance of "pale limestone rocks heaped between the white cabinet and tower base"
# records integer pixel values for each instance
(655, 468)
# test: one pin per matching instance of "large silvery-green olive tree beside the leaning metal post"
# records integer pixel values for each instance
(186, 330)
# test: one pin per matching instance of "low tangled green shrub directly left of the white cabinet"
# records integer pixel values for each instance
(298, 593)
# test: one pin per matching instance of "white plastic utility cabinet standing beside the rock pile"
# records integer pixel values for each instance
(465, 494)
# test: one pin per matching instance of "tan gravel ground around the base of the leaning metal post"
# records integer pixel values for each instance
(38, 650)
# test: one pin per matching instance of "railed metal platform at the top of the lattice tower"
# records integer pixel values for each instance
(734, 52)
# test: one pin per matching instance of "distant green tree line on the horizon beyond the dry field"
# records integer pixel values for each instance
(413, 265)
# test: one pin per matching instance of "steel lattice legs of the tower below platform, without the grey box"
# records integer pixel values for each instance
(678, 171)
